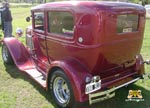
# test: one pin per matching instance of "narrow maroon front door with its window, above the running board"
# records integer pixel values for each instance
(40, 56)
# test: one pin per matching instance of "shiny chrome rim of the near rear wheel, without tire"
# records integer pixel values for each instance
(61, 90)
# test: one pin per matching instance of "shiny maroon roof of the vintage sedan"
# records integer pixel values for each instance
(81, 4)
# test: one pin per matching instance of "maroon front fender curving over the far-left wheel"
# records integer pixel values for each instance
(19, 53)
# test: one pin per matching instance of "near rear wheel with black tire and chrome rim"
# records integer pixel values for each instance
(61, 90)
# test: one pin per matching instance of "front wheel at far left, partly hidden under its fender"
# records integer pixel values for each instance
(6, 55)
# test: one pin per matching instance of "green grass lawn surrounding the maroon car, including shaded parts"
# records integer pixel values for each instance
(17, 90)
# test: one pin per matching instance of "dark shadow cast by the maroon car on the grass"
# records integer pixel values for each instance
(119, 101)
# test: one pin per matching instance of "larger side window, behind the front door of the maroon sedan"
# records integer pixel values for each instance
(61, 23)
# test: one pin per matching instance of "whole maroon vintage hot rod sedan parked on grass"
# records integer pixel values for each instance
(81, 50)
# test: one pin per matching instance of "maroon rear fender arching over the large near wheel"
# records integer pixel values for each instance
(76, 74)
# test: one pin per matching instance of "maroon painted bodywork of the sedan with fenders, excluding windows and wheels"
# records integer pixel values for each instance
(95, 48)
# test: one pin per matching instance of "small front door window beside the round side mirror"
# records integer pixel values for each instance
(39, 21)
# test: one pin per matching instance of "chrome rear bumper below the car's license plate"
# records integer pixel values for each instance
(97, 97)
